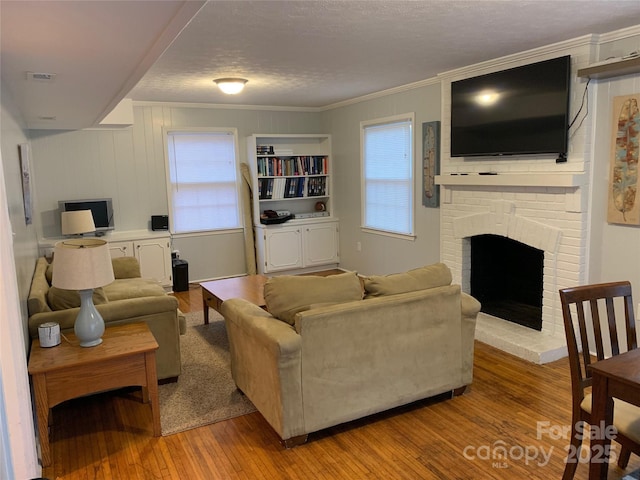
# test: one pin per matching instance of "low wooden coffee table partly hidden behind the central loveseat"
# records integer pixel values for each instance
(249, 287)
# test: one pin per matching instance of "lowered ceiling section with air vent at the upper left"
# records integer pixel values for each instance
(97, 50)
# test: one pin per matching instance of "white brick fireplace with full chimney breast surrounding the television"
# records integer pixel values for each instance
(529, 199)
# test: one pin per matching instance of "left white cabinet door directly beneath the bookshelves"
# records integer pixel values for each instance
(283, 248)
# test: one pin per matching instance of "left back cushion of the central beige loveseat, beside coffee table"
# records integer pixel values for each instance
(287, 295)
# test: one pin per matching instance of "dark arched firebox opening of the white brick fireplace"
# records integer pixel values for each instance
(506, 277)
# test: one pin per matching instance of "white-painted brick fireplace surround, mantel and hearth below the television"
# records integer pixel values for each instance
(546, 211)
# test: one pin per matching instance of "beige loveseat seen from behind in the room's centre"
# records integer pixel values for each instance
(323, 355)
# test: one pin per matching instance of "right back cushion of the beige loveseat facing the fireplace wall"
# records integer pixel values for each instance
(430, 276)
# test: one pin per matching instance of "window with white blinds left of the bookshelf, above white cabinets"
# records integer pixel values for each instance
(202, 181)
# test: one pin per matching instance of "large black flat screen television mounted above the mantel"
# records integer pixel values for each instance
(522, 110)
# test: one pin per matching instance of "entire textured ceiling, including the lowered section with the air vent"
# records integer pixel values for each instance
(307, 54)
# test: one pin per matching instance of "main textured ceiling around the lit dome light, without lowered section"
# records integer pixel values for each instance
(318, 53)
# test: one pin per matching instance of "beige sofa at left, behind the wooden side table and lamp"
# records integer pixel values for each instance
(128, 299)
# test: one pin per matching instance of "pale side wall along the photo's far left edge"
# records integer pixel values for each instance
(18, 459)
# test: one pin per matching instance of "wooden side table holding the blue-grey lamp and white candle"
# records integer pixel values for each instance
(126, 357)
